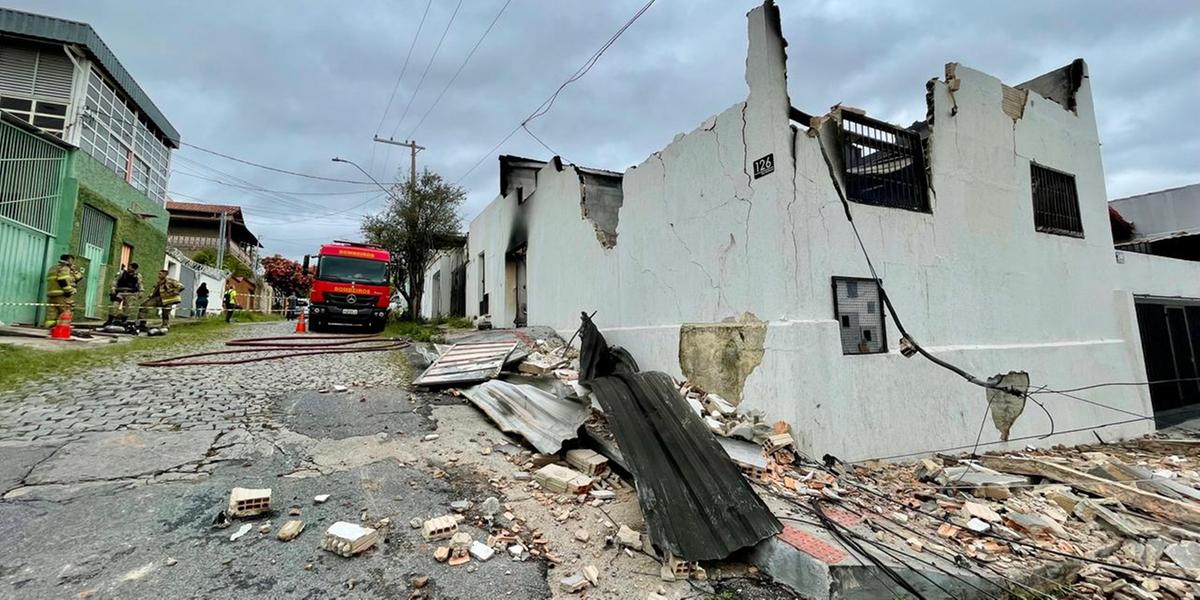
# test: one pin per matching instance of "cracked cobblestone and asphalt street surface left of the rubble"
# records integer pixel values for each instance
(111, 482)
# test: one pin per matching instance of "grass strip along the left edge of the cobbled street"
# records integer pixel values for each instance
(20, 364)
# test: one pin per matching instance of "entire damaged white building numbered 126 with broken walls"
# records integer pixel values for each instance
(728, 260)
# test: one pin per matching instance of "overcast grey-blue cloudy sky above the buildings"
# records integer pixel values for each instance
(293, 83)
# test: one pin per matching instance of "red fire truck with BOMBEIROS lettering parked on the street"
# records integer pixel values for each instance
(351, 286)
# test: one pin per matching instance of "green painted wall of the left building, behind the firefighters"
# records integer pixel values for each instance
(105, 191)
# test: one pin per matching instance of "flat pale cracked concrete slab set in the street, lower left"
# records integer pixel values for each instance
(127, 455)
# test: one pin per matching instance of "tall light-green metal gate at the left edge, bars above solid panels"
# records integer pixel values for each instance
(31, 177)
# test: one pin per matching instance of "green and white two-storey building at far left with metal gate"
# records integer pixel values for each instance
(86, 160)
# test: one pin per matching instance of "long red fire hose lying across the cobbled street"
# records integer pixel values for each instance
(284, 347)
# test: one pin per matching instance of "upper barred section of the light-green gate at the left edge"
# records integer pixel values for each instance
(31, 176)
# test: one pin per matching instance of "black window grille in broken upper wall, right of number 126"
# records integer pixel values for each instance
(885, 165)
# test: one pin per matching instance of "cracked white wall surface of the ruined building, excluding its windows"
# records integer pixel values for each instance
(700, 241)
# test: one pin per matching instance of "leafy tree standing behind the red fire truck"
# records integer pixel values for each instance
(421, 221)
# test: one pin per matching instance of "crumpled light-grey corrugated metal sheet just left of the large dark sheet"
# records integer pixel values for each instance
(544, 418)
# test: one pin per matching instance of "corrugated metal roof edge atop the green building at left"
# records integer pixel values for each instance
(75, 33)
